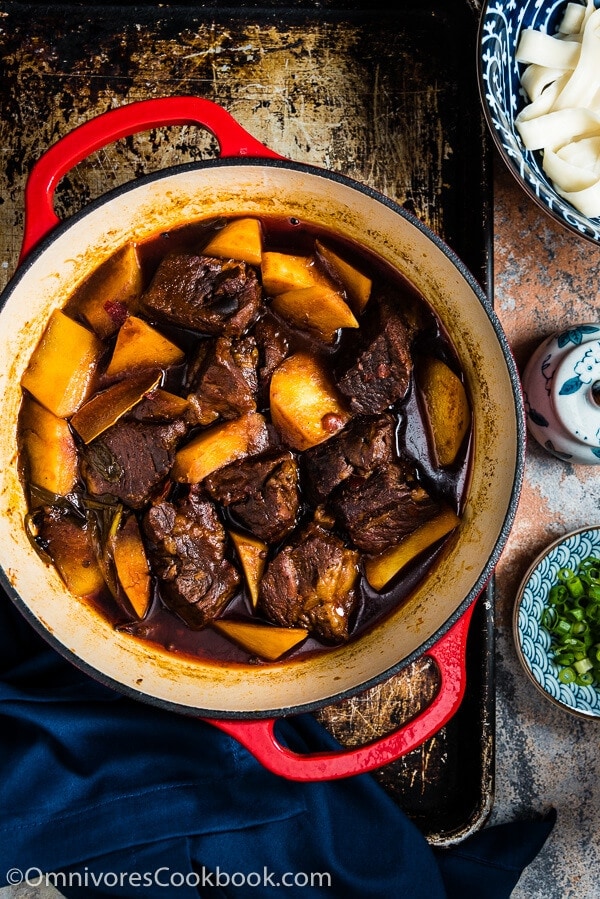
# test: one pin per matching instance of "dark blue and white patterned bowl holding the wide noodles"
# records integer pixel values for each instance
(501, 25)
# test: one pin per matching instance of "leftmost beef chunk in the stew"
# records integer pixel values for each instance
(131, 459)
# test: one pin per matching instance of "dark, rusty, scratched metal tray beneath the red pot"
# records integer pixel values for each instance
(388, 98)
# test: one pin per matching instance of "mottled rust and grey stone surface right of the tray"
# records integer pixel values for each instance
(545, 278)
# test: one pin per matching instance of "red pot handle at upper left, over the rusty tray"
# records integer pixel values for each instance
(123, 121)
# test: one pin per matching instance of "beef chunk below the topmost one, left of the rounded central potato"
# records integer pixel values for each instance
(222, 379)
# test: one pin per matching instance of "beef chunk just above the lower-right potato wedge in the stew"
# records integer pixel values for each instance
(380, 509)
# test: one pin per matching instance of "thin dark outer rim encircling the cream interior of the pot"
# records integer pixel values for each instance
(487, 569)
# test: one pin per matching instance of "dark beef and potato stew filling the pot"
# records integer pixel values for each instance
(278, 452)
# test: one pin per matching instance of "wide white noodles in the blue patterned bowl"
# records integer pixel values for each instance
(562, 80)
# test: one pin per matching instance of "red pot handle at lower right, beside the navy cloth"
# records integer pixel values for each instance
(259, 736)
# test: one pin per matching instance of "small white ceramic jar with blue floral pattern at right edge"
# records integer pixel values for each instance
(561, 383)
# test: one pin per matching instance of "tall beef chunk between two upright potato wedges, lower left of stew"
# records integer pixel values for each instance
(187, 547)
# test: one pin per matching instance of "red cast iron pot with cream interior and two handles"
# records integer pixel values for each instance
(249, 179)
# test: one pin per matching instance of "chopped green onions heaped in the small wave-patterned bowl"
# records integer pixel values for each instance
(572, 618)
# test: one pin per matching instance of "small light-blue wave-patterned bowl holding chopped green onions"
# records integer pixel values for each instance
(533, 641)
